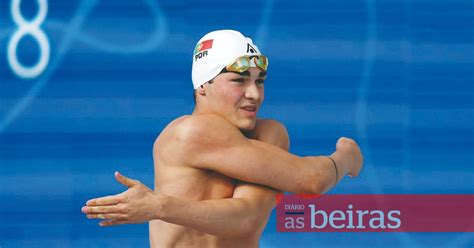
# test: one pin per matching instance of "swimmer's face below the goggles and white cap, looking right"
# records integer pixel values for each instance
(237, 96)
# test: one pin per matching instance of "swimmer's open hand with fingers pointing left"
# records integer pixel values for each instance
(136, 205)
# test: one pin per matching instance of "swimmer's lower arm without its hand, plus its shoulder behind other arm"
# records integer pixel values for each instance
(244, 214)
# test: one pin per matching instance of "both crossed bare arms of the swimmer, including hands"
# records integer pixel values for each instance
(259, 163)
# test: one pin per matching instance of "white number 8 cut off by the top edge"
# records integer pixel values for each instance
(29, 28)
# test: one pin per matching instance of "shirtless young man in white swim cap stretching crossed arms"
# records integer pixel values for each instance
(210, 166)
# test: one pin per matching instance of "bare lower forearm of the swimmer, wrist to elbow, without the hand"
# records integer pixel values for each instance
(240, 216)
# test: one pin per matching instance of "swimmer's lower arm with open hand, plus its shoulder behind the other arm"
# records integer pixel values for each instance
(246, 213)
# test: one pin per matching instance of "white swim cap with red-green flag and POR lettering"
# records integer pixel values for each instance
(216, 50)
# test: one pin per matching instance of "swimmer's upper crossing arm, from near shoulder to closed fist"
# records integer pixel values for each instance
(210, 142)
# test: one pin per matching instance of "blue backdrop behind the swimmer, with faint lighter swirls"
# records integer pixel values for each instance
(398, 76)
